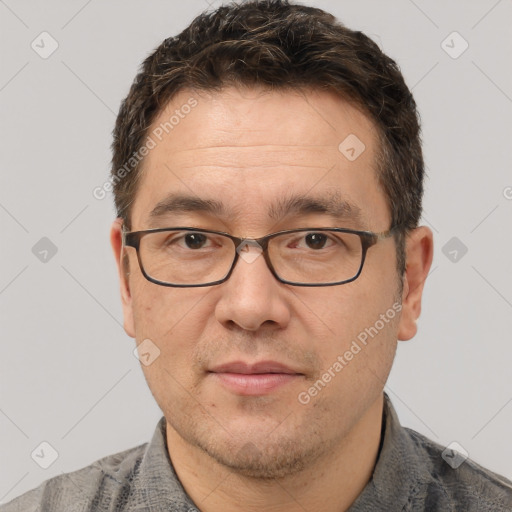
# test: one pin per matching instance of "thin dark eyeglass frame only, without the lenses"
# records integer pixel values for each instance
(368, 239)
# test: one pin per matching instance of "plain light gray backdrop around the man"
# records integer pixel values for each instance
(68, 375)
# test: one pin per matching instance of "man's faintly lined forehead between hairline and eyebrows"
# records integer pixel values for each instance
(249, 150)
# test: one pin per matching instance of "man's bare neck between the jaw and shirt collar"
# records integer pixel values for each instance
(331, 484)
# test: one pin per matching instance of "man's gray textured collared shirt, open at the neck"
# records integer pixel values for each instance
(410, 475)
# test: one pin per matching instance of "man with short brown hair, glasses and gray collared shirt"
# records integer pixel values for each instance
(268, 173)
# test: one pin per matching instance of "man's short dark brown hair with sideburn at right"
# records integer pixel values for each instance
(276, 44)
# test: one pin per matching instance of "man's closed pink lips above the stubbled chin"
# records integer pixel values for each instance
(255, 379)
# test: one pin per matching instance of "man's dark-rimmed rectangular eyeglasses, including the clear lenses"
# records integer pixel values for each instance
(191, 257)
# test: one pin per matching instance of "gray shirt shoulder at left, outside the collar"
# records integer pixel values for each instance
(84, 489)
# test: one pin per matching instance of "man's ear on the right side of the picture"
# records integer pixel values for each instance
(419, 254)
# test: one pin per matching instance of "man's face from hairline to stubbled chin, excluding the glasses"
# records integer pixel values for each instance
(250, 150)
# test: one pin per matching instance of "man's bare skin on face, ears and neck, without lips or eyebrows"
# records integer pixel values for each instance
(248, 147)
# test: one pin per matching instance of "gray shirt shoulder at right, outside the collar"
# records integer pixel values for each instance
(465, 486)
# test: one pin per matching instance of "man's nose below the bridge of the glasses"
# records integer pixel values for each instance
(252, 297)
